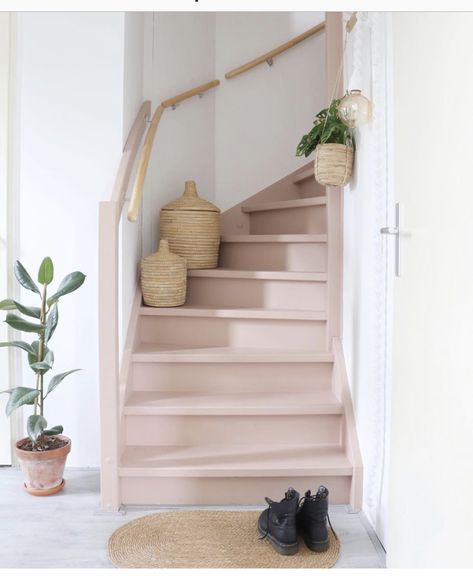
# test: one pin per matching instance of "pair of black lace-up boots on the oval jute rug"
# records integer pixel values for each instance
(283, 521)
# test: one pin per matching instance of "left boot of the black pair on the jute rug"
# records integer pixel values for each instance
(278, 523)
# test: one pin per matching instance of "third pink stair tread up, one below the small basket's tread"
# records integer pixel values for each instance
(154, 352)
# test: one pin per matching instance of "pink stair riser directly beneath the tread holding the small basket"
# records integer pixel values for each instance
(239, 333)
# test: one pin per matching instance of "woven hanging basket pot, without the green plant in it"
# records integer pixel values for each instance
(333, 164)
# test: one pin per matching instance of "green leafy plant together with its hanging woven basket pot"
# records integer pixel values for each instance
(334, 146)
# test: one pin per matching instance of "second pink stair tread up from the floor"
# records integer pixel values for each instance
(320, 401)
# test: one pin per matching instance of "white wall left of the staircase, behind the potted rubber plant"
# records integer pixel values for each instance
(71, 114)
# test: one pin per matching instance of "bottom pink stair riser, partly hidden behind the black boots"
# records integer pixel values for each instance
(226, 490)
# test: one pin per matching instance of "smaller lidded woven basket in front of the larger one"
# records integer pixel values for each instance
(163, 278)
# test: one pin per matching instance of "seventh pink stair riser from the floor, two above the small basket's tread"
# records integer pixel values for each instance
(303, 220)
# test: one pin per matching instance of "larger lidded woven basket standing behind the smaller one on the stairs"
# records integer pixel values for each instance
(192, 227)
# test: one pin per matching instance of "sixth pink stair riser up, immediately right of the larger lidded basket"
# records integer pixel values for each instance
(259, 256)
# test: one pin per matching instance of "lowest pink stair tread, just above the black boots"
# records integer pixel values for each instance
(234, 460)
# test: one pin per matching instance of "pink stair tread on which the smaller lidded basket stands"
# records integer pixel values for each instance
(190, 310)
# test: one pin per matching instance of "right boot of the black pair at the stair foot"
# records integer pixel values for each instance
(312, 520)
